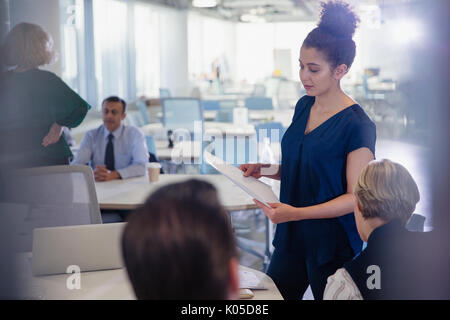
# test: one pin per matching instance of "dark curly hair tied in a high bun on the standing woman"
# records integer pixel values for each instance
(333, 35)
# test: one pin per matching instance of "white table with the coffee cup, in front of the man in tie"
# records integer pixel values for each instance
(128, 194)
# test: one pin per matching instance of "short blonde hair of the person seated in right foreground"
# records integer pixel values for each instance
(386, 190)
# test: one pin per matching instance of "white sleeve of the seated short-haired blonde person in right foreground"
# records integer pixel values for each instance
(340, 286)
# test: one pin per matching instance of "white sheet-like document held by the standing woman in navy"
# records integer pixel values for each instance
(255, 188)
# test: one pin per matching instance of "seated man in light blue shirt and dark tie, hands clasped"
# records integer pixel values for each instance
(114, 150)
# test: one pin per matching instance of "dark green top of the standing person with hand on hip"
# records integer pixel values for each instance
(31, 102)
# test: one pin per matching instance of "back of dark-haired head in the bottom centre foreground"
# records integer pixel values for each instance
(179, 244)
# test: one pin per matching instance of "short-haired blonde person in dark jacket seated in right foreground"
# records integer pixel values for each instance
(394, 264)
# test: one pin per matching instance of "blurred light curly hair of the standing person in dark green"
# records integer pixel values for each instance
(28, 46)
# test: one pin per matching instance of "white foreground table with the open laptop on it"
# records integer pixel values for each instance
(102, 285)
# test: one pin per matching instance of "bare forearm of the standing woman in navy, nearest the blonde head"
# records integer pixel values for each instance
(334, 208)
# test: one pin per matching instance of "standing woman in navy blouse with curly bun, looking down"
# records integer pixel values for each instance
(328, 143)
